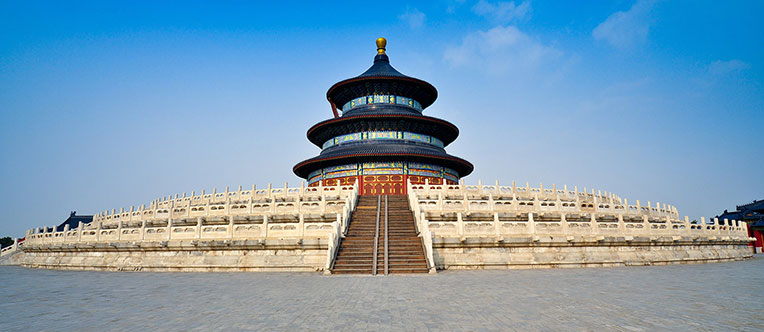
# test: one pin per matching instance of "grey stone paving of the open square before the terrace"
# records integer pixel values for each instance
(704, 297)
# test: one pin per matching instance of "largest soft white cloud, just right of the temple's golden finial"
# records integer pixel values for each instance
(500, 50)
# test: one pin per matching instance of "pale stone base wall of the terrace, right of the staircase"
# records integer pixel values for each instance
(548, 252)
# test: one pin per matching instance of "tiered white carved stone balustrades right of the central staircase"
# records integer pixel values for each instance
(483, 211)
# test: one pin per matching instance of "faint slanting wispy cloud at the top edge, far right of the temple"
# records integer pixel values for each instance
(626, 29)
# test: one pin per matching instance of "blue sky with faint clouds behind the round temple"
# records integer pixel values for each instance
(110, 104)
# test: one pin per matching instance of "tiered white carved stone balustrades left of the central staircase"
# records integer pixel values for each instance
(289, 213)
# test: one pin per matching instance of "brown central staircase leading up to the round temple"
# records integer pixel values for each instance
(405, 253)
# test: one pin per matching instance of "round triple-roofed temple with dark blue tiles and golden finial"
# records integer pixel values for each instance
(381, 140)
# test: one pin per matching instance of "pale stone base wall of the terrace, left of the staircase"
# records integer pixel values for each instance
(275, 255)
